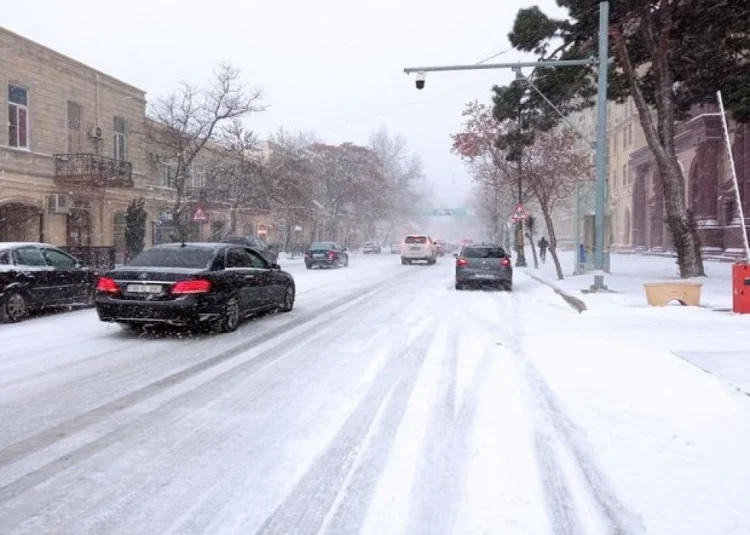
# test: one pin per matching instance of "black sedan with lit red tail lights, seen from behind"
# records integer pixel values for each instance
(213, 285)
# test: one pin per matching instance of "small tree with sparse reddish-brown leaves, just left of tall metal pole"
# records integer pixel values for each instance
(552, 167)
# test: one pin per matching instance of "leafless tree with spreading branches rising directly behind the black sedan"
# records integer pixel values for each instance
(184, 122)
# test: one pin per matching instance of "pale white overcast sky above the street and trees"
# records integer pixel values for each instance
(334, 67)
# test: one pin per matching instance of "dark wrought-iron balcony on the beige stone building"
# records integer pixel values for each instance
(92, 170)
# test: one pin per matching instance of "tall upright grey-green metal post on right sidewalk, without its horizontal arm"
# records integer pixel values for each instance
(601, 145)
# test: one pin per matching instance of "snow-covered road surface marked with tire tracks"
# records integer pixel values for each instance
(387, 402)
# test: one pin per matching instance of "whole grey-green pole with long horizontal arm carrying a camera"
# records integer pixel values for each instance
(601, 129)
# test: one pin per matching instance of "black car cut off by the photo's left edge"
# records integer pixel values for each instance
(35, 276)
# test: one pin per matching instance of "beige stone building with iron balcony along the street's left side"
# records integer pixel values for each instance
(73, 155)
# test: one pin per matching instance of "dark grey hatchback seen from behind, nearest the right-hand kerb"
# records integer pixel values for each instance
(483, 265)
